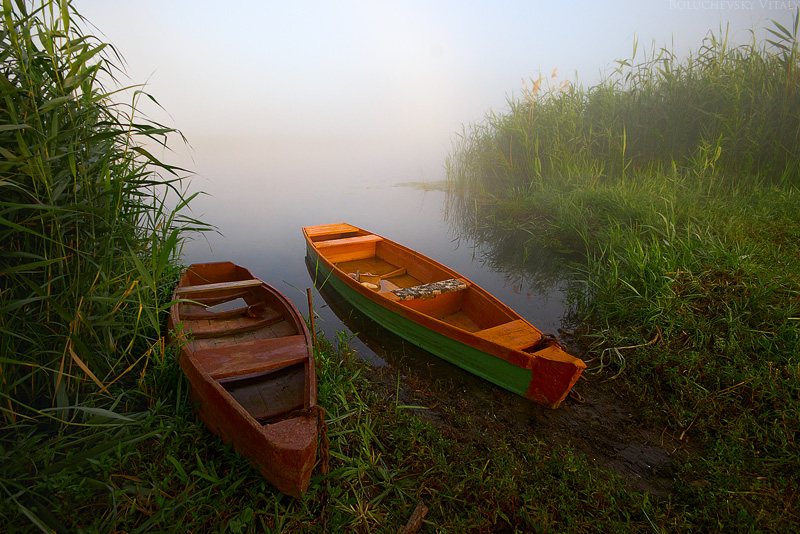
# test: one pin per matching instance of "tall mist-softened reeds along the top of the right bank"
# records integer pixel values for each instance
(734, 110)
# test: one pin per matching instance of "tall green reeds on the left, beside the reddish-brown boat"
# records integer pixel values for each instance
(91, 220)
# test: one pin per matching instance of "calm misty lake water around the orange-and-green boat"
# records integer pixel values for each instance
(262, 231)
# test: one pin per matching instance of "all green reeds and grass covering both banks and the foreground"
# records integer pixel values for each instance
(689, 228)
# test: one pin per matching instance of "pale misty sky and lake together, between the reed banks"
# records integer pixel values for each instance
(308, 113)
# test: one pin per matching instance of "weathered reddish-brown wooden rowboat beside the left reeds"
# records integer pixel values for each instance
(248, 356)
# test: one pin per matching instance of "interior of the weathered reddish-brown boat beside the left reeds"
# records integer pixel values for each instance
(244, 336)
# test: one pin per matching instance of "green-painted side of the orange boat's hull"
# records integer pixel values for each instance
(496, 370)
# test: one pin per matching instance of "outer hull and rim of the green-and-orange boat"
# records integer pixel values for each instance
(544, 376)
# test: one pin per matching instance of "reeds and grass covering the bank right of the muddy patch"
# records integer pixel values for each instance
(678, 185)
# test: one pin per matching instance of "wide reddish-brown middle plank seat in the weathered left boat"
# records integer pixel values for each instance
(252, 357)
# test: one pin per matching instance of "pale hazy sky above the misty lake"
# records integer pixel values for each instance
(375, 90)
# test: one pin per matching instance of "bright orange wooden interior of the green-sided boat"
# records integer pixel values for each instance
(413, 280)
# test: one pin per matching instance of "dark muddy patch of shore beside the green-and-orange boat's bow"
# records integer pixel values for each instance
(600, 421)
